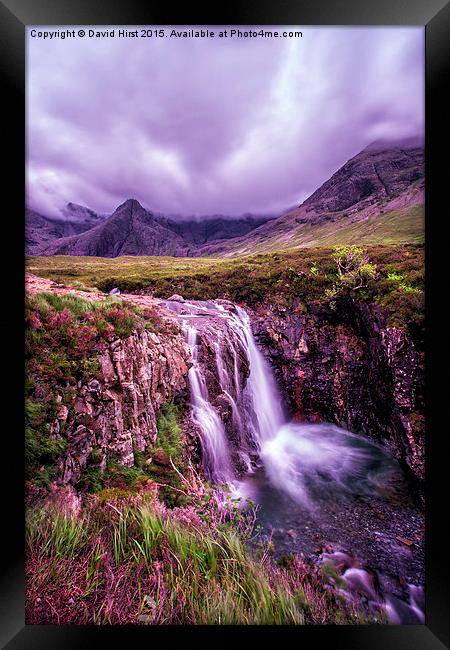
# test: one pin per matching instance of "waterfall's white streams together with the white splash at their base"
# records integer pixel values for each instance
(302, 460)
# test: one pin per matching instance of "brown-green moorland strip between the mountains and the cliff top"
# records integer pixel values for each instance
(285, 278)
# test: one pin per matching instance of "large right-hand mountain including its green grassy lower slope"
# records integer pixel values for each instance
(377, 196)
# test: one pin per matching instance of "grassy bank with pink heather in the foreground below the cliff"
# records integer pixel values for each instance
(117, 558)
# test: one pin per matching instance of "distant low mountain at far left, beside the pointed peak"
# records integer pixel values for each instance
(40, 229)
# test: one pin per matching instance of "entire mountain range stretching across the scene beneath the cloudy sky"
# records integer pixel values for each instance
(375, 197)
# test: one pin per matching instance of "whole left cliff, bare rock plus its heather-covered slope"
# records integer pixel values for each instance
(98, 371)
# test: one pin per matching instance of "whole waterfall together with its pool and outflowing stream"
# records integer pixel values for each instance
(317, 481)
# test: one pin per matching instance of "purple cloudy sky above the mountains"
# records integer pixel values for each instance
(209, 126)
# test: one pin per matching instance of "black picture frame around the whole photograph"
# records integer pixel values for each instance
(15, 15)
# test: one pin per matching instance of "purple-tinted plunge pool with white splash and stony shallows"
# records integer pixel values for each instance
(328, 494)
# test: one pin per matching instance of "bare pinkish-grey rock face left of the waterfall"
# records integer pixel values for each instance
(116, 413)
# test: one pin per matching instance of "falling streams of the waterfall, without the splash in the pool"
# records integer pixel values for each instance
(256, 408)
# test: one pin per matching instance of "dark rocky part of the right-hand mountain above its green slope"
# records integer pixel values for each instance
(381, 179)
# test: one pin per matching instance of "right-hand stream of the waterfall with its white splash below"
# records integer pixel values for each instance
(303, 460)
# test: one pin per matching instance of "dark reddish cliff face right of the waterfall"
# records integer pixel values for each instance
(348, 367)
